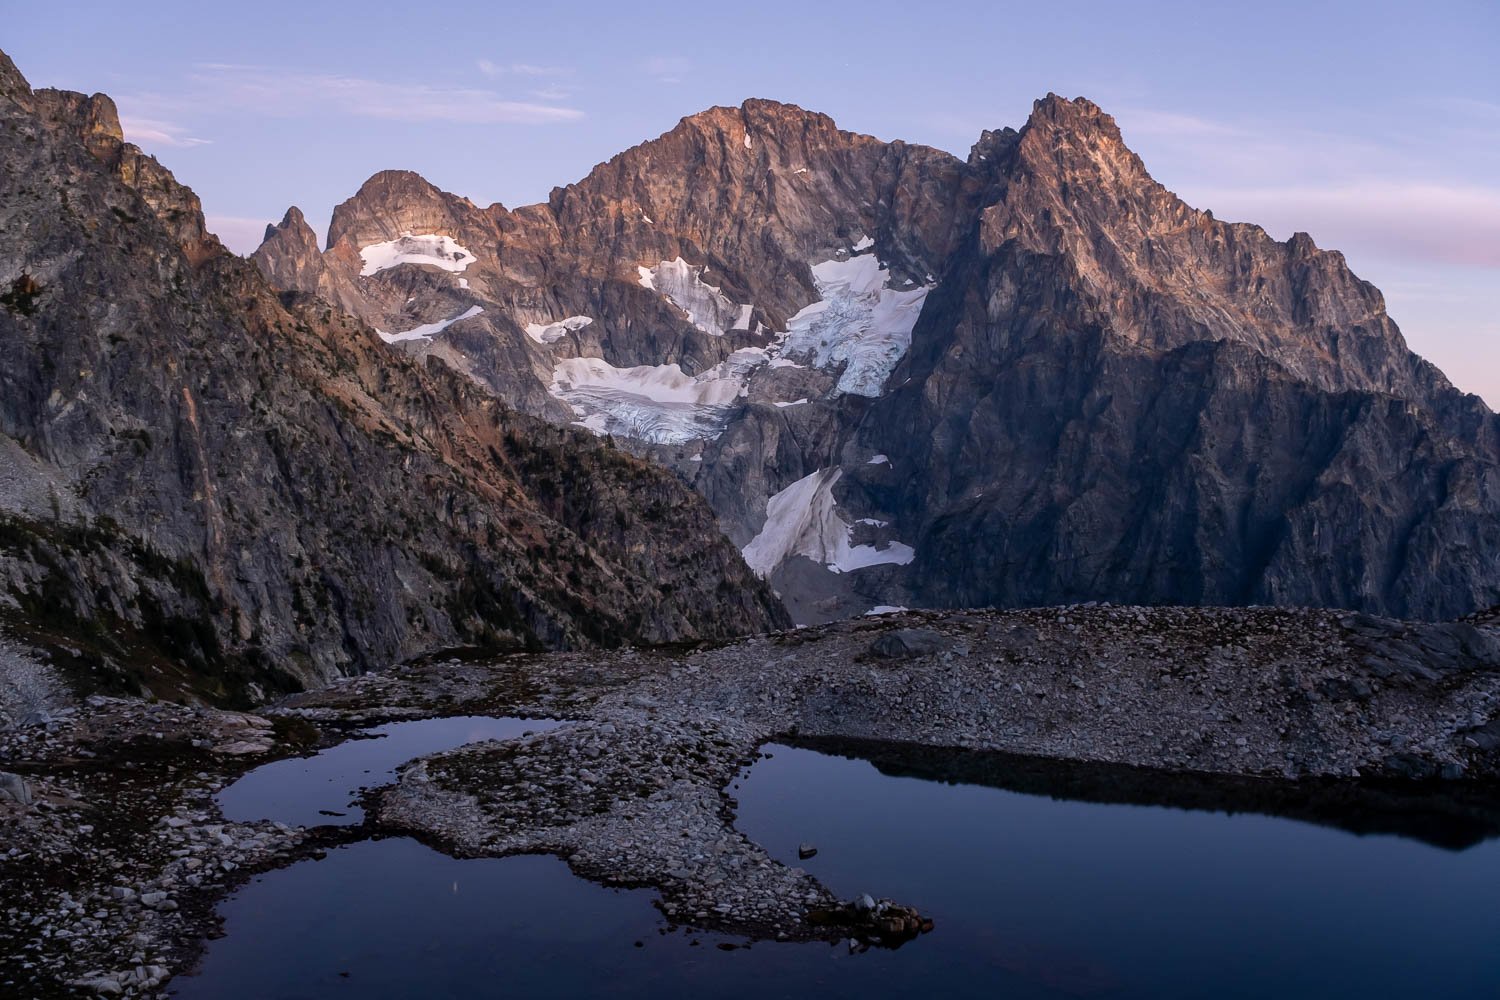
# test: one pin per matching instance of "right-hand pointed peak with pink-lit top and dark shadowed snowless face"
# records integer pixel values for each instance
(1127, 400)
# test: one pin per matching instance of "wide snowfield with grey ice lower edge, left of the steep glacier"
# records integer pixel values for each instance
(655, 403)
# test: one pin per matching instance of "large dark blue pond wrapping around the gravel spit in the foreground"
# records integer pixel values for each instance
(1034, 897)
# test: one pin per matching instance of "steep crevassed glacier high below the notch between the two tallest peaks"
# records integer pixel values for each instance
(859, 323)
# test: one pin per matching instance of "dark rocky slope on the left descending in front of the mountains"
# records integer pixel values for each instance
(223, 490)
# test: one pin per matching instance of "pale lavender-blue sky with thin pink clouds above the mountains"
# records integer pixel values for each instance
(1373, 127)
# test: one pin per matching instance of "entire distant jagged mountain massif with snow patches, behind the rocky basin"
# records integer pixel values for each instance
(902, 379)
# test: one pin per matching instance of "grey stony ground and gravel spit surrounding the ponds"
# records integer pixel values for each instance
(115, 861)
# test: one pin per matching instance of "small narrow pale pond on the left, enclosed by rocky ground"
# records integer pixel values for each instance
(320, 789)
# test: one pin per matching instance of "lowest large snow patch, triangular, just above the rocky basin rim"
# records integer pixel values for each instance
(802, 521)
